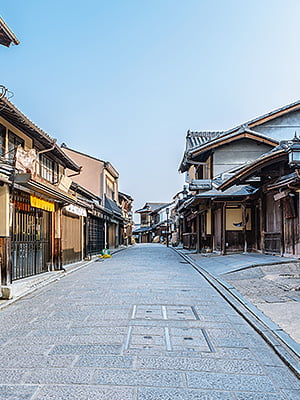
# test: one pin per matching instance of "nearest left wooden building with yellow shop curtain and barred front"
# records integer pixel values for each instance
(34, 188)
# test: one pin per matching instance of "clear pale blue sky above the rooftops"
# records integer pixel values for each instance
(123, 80)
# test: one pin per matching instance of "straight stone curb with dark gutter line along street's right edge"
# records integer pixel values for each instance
(284, 346)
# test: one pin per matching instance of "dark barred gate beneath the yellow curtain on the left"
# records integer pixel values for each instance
(31, 243)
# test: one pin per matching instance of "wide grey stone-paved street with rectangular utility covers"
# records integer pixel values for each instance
(143, 325)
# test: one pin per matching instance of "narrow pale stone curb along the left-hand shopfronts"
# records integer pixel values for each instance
(55, 276)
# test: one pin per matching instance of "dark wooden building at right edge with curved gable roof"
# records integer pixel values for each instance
(275, 206)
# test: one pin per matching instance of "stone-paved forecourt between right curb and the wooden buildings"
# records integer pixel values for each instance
(271, 283)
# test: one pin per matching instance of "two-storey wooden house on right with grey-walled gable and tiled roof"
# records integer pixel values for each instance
(212, 220)
